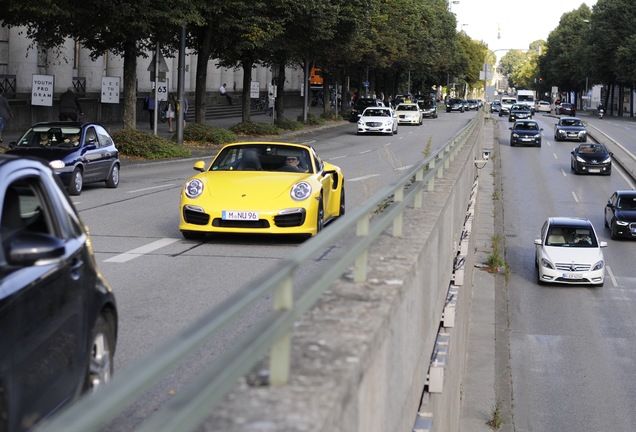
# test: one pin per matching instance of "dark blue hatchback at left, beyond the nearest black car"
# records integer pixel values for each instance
(78, 152)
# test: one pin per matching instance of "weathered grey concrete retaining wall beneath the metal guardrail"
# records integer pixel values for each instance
(361, 356)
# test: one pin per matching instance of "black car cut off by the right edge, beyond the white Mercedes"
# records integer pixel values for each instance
(620, 214)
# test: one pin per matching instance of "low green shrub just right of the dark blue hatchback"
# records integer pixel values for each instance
(144, 145)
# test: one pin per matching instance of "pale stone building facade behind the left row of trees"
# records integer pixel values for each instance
(70, 65)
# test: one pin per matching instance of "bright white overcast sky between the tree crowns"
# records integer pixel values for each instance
(519, 23)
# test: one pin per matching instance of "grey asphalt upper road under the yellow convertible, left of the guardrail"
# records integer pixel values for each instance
(163, 282)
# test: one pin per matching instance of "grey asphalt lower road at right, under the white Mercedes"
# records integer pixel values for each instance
(572, 349)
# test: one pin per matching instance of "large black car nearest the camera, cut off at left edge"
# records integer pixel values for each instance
(58, 316)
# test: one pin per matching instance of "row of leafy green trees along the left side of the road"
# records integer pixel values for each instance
(381, 39)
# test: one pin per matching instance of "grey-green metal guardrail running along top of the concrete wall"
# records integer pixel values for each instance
(187, 410)
